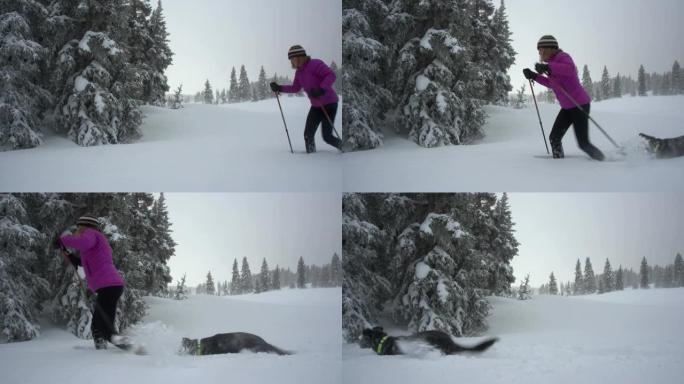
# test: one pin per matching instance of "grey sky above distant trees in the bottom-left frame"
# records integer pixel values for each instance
(213, 229)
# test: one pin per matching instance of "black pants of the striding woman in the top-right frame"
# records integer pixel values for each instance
(580, 120)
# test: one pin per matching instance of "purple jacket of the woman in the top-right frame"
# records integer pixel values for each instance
(564, 74)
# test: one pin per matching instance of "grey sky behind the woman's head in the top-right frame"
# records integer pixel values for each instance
(619, 34)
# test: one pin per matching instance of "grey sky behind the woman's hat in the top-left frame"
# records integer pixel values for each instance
(209, 37)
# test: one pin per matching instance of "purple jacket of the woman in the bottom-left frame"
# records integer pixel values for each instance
(96, 258)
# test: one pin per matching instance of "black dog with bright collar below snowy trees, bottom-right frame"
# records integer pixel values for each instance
(383, 344)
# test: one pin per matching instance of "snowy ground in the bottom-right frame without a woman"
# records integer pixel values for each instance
(620, 337)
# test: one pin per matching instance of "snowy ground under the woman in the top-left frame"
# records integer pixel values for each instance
(200, 148)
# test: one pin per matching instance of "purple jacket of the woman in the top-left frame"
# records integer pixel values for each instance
(314, 74)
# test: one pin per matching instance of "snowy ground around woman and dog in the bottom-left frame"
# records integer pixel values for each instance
(304, 321)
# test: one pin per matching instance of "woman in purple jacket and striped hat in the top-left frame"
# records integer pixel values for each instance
(317, 79)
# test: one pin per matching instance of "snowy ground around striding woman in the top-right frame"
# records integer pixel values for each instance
(505, 159)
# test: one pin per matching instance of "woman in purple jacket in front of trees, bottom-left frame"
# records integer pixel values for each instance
(101, 275)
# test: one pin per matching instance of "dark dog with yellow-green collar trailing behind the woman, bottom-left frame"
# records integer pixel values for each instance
(234, 342)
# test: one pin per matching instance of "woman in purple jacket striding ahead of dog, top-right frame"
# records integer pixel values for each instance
(563, 79)
